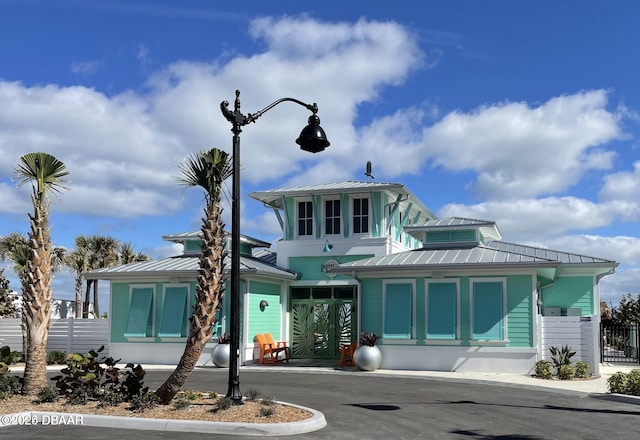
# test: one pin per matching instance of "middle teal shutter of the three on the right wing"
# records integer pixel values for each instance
(442, 311)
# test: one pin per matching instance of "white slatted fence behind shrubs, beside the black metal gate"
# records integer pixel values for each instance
(579, 333)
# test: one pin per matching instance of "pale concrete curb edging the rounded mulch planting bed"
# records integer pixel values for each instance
(316, 422)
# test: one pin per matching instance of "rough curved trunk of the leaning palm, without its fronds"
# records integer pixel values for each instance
(209, 294)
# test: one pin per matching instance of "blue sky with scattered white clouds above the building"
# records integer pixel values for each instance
(525, 113)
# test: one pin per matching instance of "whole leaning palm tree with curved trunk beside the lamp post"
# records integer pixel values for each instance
(208, 170)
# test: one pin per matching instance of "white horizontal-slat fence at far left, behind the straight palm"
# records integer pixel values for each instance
(69, 335)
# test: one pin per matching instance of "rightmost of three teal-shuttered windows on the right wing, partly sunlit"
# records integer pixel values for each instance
(487, 308)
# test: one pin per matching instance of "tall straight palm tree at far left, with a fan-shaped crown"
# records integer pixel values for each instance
(46, 174)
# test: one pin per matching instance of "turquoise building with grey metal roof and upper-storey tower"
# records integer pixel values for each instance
(442, 293)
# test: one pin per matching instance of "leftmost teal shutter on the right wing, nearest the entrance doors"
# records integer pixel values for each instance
(398, 311)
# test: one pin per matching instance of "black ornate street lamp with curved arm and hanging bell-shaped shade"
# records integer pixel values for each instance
(312, 139)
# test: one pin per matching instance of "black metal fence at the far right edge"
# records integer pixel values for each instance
(619, 343)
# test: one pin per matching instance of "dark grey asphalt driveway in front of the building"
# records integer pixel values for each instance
(358, 406)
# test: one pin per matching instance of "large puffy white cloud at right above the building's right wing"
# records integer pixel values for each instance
(523, 151)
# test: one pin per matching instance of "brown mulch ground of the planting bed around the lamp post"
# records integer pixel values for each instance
(202, 409)
